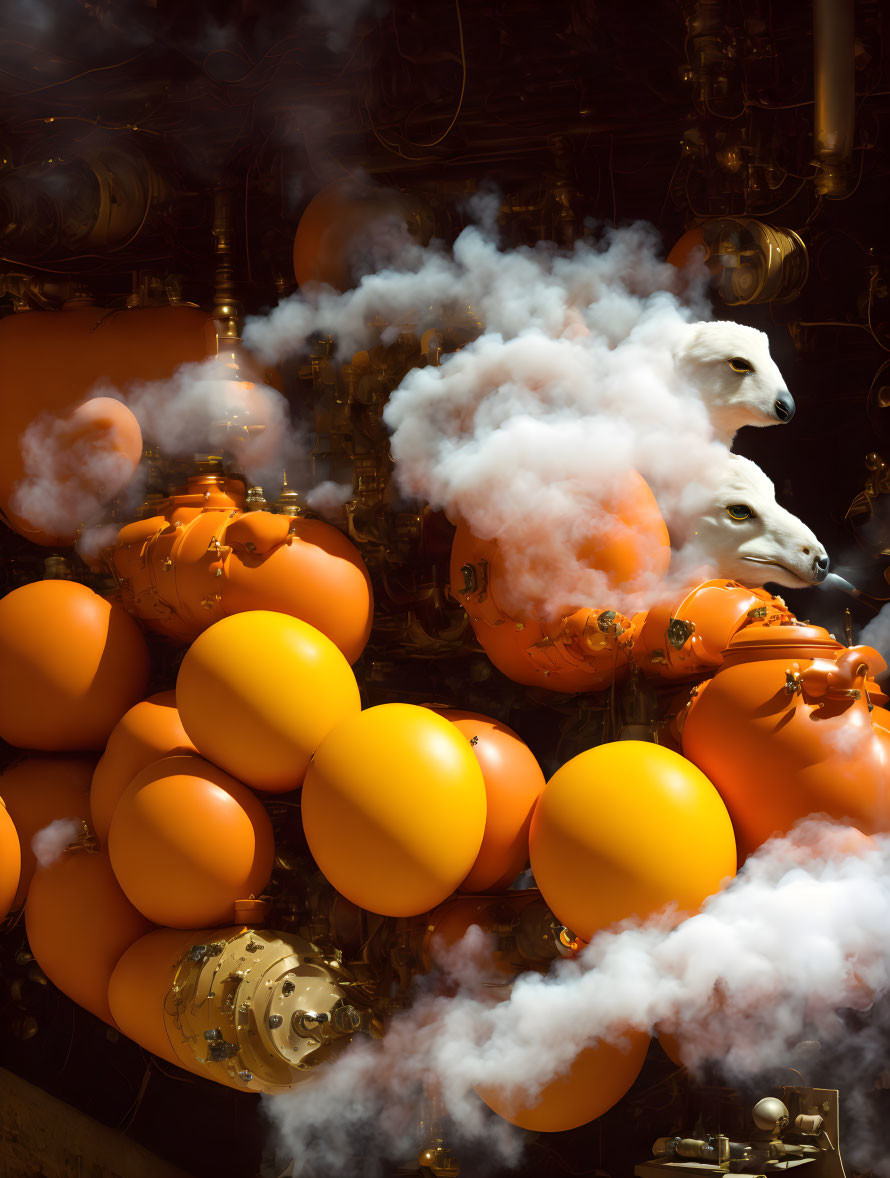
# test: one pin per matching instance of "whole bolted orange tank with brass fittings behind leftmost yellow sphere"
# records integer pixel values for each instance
(203, 558)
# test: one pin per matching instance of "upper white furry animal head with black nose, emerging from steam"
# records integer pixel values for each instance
(740, 383)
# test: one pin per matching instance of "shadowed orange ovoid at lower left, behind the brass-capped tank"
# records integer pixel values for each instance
(79, 924)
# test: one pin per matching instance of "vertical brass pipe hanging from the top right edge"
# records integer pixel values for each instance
(835, 95)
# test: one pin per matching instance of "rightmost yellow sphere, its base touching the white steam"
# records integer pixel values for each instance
(625, 830)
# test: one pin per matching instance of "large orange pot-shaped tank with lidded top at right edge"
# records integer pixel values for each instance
(783, 731)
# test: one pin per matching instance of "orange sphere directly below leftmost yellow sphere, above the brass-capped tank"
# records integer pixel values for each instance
(188, 842)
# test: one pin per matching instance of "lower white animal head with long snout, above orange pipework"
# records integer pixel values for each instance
(747, 537)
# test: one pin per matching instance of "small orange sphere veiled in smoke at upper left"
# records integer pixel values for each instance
(75, 466)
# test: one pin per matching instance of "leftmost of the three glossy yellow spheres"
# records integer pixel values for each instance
(260, 692)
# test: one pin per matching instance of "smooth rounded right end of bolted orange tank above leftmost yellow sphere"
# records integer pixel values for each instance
(304, 568)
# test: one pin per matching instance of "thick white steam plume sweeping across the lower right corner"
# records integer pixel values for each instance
(793, 951)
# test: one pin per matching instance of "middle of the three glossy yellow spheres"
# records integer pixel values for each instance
(394, 809)
